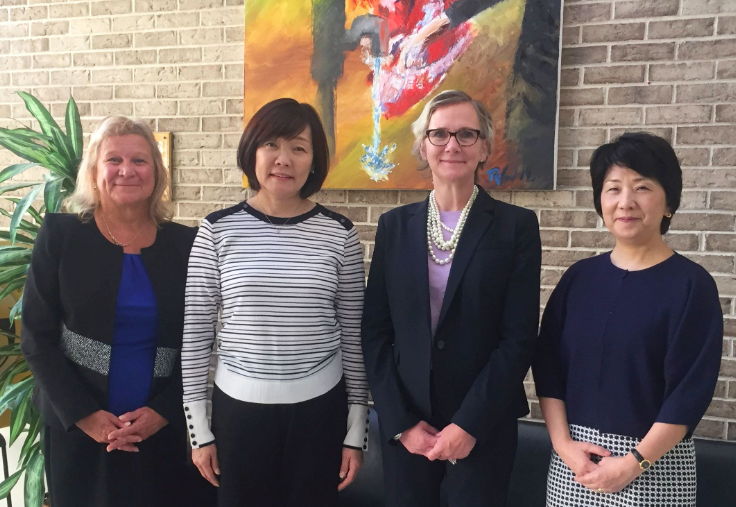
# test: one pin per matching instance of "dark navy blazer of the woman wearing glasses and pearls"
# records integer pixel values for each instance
(484, 342)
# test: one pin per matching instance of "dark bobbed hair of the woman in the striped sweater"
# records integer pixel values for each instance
(285, 118)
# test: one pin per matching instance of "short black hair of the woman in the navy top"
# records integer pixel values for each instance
(647, 154)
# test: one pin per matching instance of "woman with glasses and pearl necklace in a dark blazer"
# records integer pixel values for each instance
(450, 320)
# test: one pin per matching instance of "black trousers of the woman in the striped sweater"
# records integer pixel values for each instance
(279, 455)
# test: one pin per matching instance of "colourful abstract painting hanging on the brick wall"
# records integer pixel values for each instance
(370, 66)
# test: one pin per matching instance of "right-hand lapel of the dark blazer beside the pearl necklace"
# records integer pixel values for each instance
(479, 220)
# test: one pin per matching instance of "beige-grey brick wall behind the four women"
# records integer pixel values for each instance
(667, 66)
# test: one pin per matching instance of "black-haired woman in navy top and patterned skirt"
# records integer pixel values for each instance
(630, 345)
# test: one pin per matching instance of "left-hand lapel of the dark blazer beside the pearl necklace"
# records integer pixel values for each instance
(417, 227)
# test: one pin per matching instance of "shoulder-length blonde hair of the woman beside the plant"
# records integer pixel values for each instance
(84, 201)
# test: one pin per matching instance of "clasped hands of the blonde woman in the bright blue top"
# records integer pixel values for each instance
(124, 432)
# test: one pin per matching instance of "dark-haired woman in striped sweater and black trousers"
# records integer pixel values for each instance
(285, 278)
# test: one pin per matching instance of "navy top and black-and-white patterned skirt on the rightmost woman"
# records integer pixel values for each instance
(624, 350)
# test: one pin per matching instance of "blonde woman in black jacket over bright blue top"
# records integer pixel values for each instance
(103, 311)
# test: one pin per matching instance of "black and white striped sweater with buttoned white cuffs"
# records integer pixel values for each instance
(289, 293)
